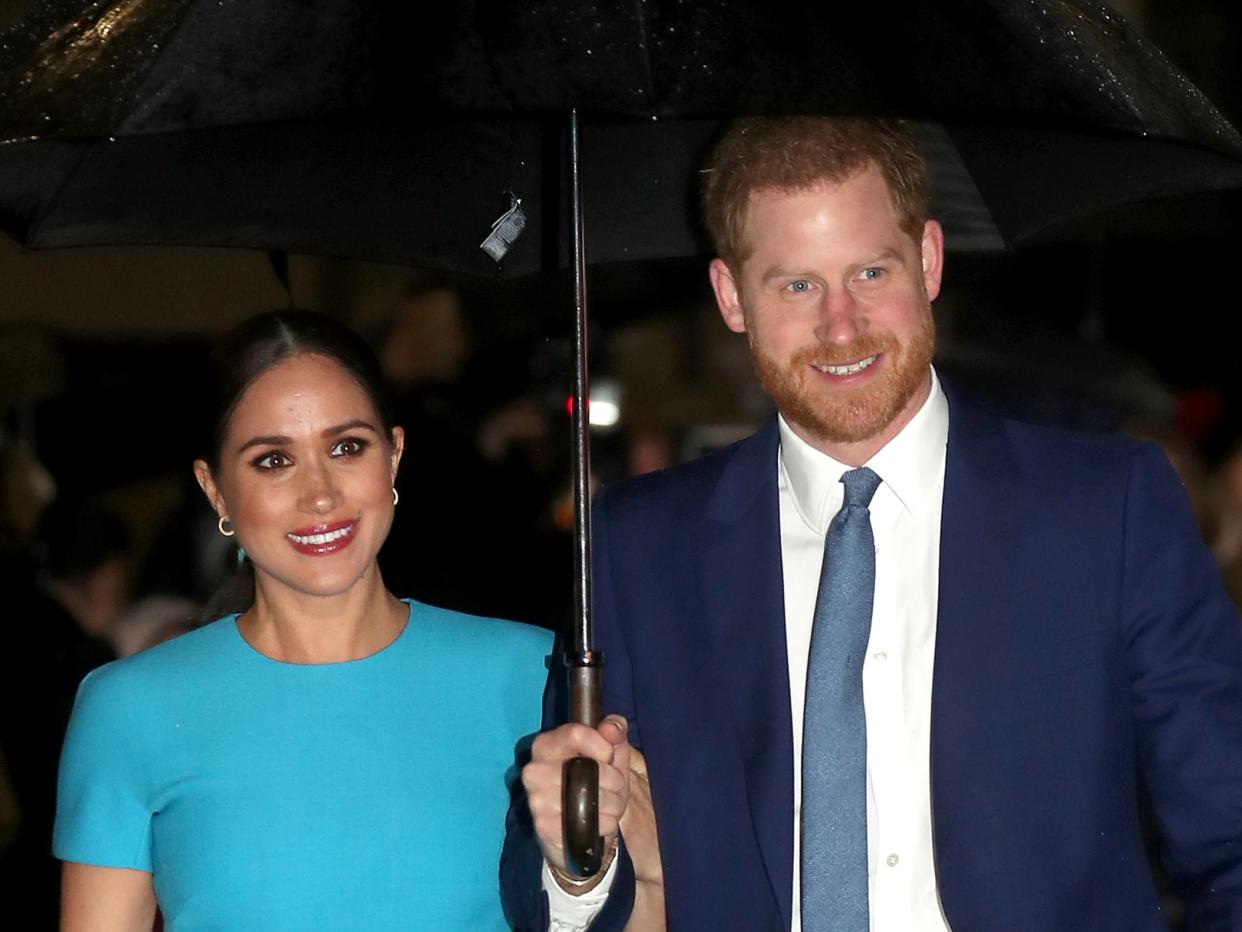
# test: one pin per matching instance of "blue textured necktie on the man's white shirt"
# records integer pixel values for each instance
(834, 872)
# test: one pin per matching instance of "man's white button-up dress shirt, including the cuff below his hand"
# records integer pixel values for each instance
(897, 673)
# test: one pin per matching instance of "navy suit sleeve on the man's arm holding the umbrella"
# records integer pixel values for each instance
(526, 907)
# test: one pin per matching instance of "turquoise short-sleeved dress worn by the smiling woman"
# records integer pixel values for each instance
(265, 796)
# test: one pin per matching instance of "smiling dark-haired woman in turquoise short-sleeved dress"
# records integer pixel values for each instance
(315, 761)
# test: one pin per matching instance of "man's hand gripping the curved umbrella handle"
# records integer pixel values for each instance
(542, 779)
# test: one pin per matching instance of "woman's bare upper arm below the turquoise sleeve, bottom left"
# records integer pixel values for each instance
(106, 899)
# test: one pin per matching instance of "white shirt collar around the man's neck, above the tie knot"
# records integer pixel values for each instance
(911, 465)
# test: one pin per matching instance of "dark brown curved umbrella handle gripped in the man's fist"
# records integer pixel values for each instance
(581, 776)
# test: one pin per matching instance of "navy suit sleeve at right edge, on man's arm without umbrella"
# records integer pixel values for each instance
(1184, 652)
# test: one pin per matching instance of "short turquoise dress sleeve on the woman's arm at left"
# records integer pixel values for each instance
(102, 811)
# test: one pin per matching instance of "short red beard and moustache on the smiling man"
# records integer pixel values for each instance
(848, 416)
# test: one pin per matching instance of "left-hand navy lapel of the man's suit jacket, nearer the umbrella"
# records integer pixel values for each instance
(738, 570)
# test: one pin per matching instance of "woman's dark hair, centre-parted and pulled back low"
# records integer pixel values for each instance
(249, 351)
